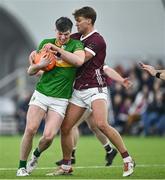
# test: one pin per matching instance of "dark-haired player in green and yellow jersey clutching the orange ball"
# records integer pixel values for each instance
(51, 95)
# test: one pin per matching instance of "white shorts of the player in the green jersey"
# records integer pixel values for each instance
(49, 103)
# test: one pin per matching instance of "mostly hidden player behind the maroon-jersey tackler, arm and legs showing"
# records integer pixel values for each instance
(110, 151)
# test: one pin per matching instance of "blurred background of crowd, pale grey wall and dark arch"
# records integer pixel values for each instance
(134, 31)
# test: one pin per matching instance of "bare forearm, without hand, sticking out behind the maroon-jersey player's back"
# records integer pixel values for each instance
(111, 73)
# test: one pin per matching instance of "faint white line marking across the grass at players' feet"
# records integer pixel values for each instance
(91, 167)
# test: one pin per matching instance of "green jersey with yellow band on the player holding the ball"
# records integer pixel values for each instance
(58, 82)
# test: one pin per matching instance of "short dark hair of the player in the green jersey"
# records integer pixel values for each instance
(64, 24)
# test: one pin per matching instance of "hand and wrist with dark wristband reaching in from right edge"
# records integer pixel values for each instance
(152, 71)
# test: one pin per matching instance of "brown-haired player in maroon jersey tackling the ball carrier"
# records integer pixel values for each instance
(90, 92)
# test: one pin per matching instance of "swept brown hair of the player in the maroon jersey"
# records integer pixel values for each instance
(86, 12)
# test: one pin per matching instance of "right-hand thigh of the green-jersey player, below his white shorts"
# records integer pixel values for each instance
(53, 123)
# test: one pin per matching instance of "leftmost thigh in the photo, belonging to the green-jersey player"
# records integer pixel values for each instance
(35, 115)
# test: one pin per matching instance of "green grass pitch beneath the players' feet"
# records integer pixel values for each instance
(149, 154)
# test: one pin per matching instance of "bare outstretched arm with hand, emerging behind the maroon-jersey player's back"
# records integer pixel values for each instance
(111, 73)
